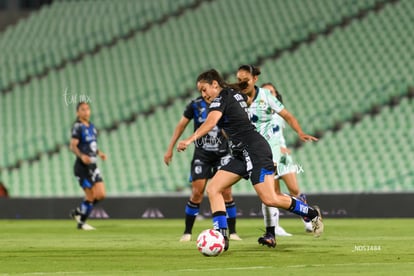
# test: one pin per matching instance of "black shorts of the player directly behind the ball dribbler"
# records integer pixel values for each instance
(206, 163)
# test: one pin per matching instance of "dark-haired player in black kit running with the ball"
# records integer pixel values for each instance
(252, 156)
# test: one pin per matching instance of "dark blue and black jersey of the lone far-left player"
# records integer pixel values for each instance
(87, 136)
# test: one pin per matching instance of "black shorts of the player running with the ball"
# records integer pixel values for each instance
(253, 160)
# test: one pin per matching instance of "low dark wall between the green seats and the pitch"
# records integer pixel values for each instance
(249, 206)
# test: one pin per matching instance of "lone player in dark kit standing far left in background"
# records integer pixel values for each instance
(84, 145)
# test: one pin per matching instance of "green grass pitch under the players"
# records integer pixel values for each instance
(151, 247)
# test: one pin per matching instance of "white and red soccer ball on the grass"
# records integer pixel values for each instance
(210, 242)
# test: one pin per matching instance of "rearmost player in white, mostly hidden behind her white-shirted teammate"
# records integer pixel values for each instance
(288, 168)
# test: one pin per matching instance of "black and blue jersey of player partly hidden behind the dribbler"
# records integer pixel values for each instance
(197, 110)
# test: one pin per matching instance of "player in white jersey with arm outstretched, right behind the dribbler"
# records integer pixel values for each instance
(262, 109)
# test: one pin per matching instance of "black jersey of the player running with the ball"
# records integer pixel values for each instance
(235, 119)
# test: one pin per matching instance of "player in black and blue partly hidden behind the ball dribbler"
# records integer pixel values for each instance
(210, 153)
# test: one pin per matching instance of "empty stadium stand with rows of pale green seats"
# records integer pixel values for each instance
(339, 59)
